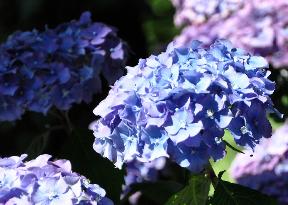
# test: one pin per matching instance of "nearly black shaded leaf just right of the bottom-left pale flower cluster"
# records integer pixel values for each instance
(99, 170)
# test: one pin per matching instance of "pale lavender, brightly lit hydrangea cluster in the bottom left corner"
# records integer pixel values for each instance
(41, 181)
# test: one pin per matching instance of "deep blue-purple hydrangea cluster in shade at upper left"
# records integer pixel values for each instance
(57, 67)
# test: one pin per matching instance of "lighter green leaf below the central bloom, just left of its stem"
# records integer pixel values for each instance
(195, 193)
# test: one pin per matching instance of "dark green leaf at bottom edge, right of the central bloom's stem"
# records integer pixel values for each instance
(227, 193)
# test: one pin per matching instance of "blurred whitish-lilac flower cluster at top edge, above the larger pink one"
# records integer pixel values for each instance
(199, 11)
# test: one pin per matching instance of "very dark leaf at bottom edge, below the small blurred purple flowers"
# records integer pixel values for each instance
(158, 192)
